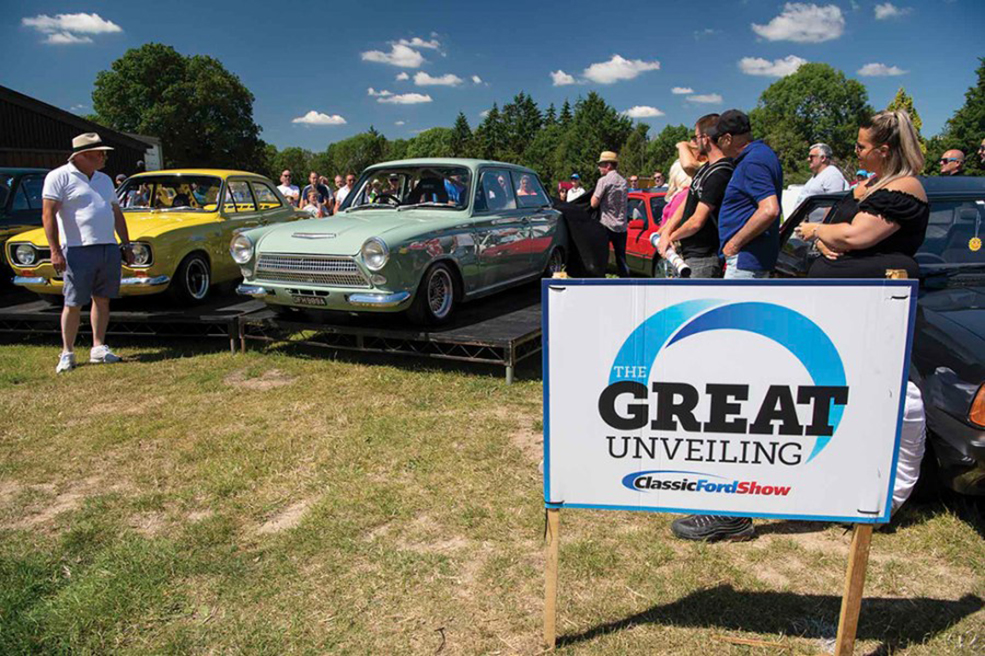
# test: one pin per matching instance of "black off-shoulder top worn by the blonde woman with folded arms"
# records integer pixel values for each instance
(894, 252)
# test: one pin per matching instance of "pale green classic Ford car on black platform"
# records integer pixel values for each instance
(419, 236)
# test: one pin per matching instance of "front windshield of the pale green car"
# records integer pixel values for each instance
(405, 187)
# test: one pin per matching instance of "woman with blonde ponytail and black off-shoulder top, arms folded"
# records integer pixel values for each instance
(882, 222)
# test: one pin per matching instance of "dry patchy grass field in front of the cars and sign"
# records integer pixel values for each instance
(190, 501)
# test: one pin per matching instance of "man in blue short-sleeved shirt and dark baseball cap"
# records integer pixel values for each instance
(749, 219)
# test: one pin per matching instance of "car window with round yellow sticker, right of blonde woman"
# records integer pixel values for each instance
(955, 232)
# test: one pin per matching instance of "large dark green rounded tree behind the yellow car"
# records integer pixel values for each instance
(202, 113)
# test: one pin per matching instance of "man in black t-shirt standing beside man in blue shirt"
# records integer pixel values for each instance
(695, 223)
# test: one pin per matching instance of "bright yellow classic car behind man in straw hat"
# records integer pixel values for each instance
(179, 228)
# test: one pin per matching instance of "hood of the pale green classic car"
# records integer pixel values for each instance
(344, 234)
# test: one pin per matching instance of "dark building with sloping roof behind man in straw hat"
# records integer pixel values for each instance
(36, 134)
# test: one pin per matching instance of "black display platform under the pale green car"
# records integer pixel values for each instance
(502, 330)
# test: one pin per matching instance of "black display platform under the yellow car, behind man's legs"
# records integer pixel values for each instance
(134, 317)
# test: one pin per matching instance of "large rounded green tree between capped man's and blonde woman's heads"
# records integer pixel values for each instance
(815, 104)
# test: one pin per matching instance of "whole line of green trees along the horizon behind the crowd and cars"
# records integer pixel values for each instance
(204, 117)
